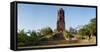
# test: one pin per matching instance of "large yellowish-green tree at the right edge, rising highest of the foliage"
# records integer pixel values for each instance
(89, 29)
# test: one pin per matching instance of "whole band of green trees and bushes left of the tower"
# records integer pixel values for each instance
(33, 38)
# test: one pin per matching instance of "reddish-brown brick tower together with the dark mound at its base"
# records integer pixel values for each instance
(60, 25)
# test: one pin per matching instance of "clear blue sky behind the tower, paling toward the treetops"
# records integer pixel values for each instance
(35, 17)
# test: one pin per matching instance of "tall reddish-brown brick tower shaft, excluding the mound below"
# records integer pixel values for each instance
(60, 20)
